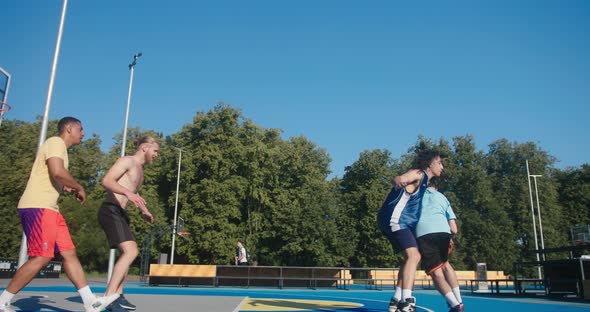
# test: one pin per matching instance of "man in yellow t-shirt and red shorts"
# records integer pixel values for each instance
(46, 230)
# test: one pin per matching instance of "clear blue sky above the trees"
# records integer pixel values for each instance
(348, 75)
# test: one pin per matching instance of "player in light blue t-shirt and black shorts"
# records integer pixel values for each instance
(434, 232)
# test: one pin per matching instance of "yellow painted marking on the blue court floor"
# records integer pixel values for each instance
(274, 304)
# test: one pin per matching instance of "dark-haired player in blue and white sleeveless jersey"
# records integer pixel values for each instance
(398, 217)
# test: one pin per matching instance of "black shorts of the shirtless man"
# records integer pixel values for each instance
(114, 220)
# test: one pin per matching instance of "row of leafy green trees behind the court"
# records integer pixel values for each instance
(242, 181)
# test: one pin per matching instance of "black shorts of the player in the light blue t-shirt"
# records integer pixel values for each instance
(434, 249)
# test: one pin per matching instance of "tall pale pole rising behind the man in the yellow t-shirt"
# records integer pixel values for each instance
(22, 257)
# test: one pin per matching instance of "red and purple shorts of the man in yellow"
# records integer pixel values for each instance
(46, 230)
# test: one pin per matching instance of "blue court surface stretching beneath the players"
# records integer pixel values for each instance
(236, 299)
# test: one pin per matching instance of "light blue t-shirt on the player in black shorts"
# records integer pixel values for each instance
(436, 213)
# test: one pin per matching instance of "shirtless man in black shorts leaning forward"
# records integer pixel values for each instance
(122, 182)
